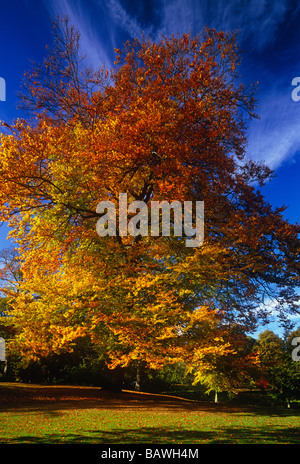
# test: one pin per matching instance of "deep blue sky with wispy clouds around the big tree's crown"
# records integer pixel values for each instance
(269, 37)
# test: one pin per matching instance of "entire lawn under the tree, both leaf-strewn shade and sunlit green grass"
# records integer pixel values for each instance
(56, 414)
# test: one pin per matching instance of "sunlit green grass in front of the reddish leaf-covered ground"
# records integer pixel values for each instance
(94, 426)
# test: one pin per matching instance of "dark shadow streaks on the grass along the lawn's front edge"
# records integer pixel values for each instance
(159, 435)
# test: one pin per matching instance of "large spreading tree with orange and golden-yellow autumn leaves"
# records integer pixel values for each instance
(167, 123)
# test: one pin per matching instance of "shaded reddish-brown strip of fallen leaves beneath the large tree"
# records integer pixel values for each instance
(54, 400)
